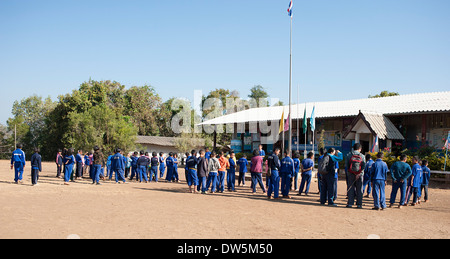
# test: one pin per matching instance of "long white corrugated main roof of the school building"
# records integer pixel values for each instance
(402, 104)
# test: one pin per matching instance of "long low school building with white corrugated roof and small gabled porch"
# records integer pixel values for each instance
(406, 121)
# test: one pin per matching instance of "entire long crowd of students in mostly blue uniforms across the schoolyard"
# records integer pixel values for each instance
(208, 171)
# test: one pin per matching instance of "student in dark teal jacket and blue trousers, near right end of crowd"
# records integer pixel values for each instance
(400, 172)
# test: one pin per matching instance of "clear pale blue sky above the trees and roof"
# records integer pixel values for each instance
(342, 49)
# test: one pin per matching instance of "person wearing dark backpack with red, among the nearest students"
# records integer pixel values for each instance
(355, 164)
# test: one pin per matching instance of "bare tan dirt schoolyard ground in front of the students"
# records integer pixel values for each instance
(167, 211)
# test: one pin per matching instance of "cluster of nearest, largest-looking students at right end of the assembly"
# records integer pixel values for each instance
(361, 172)
